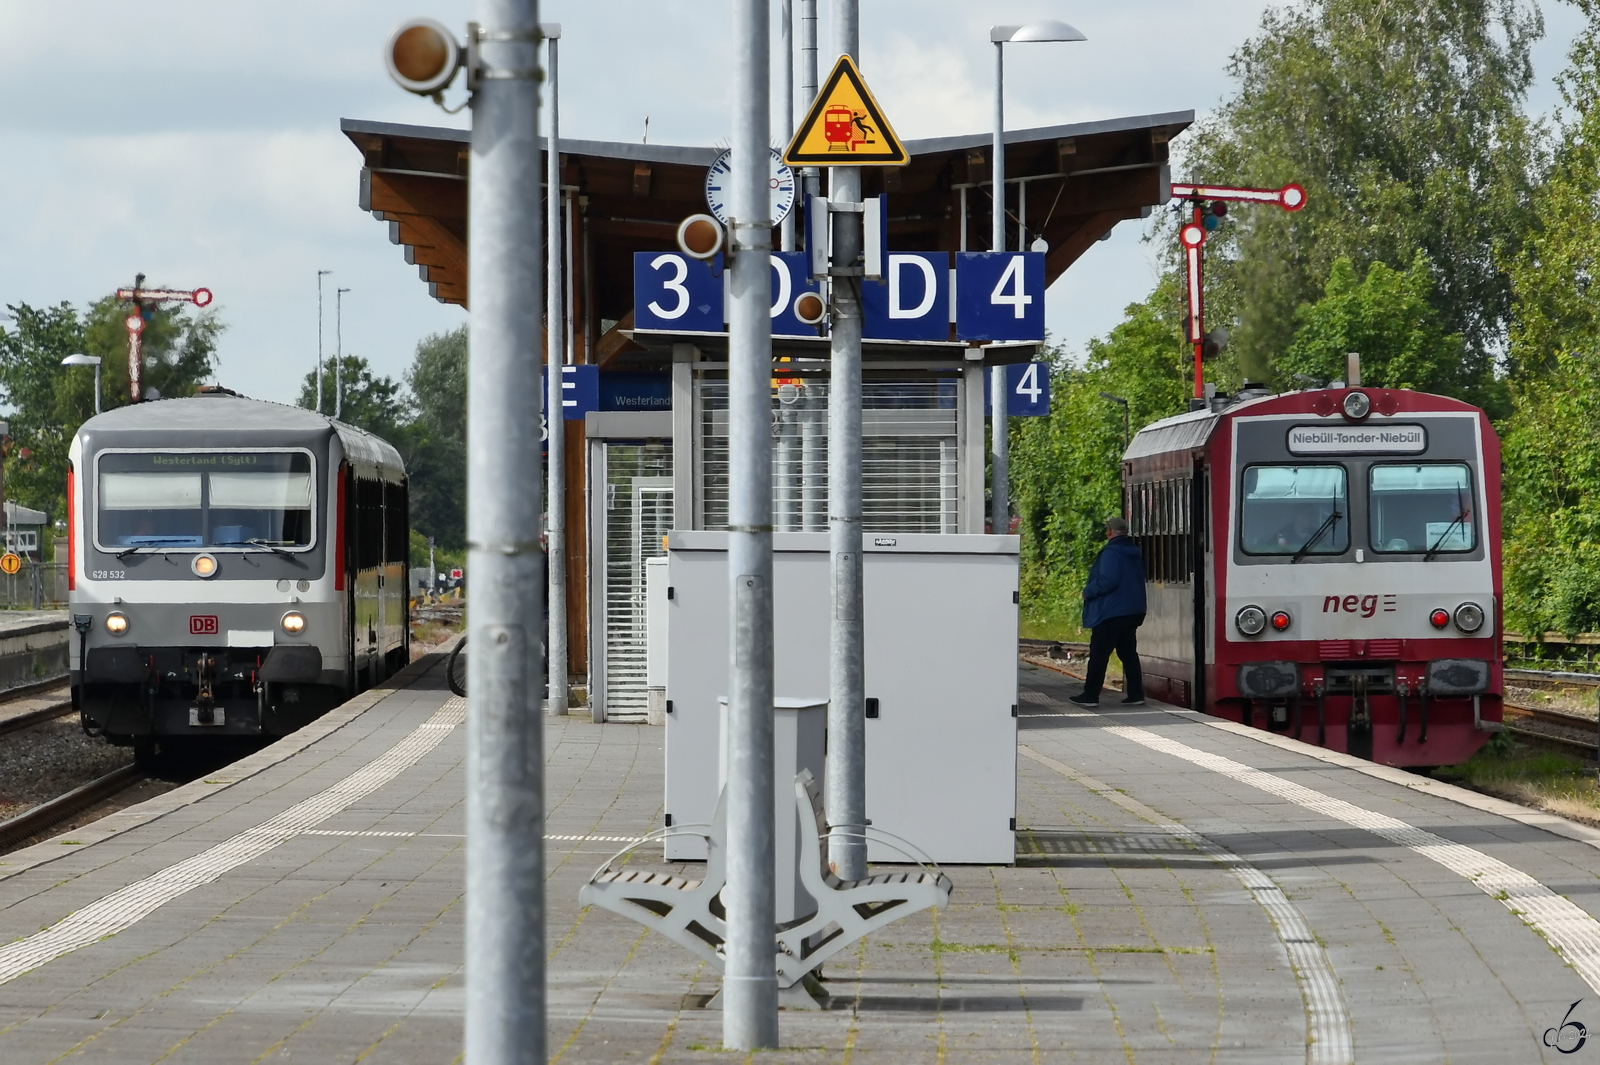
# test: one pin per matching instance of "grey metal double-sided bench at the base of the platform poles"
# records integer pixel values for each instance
(689, 912)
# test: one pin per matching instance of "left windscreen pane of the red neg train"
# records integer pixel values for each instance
(1295, 509)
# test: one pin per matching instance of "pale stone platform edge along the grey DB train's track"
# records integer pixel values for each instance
(190, 794)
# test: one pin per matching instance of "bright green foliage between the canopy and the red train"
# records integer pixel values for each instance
(1066, 468)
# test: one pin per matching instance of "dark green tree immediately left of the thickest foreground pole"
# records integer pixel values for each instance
(439, 465)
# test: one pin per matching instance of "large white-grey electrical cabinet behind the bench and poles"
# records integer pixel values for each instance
(942, 626)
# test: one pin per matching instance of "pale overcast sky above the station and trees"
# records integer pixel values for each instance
(199, 142)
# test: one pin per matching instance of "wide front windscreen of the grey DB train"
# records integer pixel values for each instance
(199, 500)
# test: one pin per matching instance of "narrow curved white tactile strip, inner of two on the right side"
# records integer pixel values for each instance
(1327, 1016)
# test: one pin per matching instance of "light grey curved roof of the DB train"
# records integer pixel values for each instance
(228, 413)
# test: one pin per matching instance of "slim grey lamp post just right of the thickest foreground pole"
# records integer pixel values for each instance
(554, 413)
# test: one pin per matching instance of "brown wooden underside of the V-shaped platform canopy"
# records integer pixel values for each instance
(1071, 185)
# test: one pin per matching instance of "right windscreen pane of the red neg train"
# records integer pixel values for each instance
(1423, 509)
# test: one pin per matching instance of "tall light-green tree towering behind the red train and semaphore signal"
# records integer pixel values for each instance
(1406, 126)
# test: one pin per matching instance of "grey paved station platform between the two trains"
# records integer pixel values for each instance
(1185, 893)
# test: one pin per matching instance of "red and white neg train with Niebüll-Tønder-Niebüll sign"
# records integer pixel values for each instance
(1326, 564)
